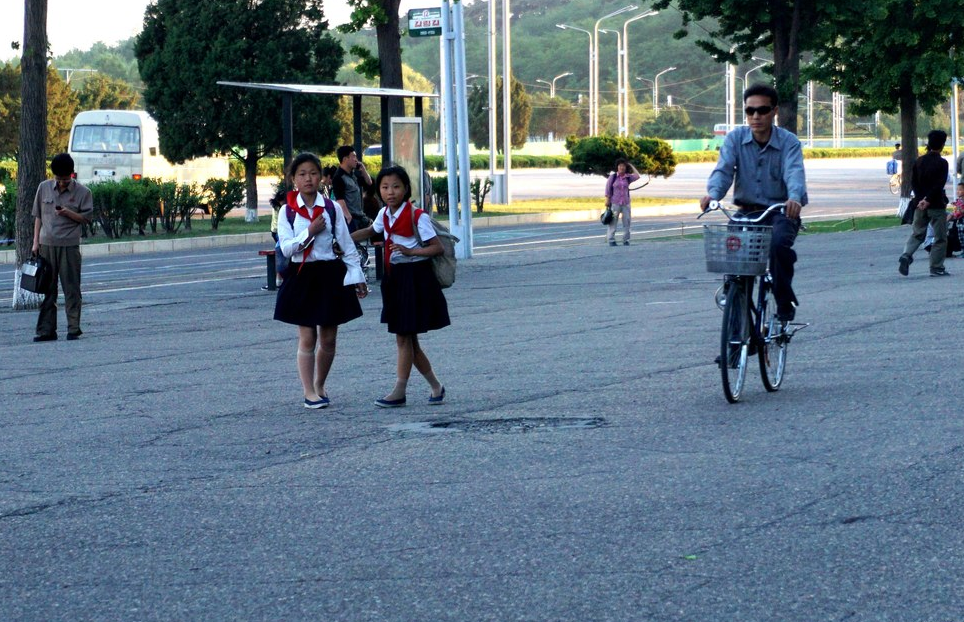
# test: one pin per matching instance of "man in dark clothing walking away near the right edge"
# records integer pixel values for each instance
(929, 176)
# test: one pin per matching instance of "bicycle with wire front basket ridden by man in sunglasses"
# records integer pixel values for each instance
(740, 250)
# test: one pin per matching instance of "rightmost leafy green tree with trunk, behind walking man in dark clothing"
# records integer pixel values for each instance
(894, 55)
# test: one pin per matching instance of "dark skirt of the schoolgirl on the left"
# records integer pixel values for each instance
(315, 296)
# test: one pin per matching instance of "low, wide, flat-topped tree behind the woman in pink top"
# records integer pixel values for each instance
(597, 155)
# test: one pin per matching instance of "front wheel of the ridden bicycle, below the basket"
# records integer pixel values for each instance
(735, 338)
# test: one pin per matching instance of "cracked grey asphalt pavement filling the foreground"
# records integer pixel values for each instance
(586, 466)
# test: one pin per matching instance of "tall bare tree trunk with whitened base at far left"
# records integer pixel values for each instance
(31, 157)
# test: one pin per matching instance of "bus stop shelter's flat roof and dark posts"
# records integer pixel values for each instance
(288, 92)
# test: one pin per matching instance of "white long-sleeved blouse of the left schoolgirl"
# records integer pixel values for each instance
(292, 236)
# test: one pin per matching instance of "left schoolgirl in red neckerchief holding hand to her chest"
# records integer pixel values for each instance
(324, 282)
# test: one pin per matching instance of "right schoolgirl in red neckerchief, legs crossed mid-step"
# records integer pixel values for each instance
(412, 300)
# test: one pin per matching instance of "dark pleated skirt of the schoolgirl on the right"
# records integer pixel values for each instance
(412, 300)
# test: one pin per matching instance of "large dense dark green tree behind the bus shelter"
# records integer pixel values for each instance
(186, 47)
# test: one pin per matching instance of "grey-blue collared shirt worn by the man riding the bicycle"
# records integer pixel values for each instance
(764, 175)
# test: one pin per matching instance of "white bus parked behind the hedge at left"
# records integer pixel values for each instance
(119, 144)
